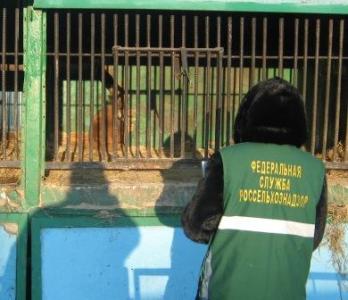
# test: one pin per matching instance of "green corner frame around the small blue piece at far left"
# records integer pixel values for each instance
(21, 246)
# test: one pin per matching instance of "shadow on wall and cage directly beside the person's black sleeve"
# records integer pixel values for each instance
(185, 256)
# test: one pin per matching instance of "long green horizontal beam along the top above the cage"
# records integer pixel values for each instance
(282, 6)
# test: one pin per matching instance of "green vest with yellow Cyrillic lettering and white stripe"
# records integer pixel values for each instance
(263, 246)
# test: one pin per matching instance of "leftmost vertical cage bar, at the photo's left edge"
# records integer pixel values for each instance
(3, 83)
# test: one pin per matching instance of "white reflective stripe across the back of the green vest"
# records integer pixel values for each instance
(267, 226)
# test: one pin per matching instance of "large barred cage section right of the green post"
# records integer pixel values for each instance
(139, 90)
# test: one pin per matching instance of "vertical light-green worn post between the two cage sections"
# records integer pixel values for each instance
(34, 109)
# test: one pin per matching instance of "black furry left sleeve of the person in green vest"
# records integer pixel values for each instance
(201, 216)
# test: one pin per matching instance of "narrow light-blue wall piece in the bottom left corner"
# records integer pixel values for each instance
(8, 254)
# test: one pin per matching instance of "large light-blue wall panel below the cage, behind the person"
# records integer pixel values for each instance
(149, 262)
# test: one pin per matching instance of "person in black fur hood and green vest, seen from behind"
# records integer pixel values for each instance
(262, 205)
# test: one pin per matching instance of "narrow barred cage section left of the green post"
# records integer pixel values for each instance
(11, 84)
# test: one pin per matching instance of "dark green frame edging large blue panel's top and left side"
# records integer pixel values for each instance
(44, 220)
